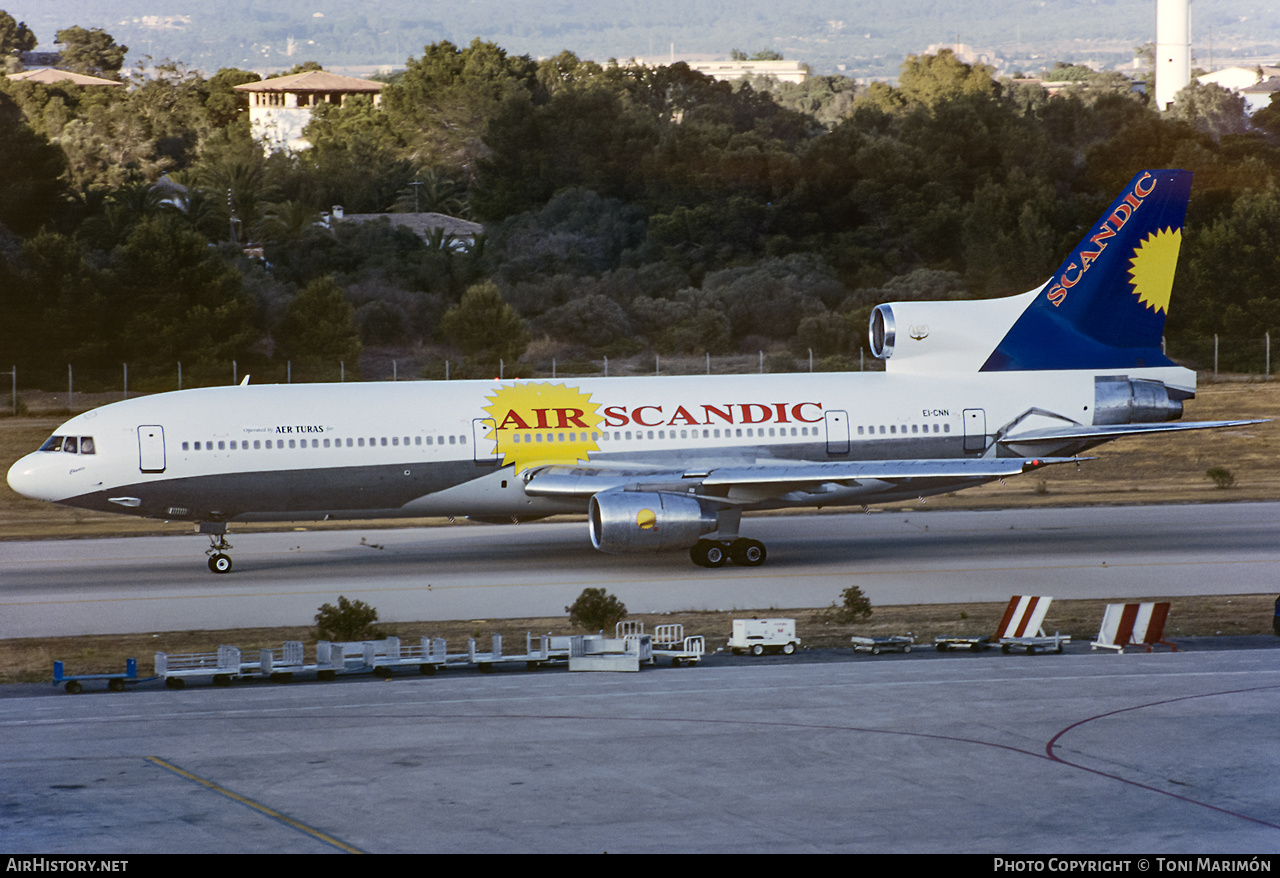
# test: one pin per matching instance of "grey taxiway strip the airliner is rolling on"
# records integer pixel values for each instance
(52, 588)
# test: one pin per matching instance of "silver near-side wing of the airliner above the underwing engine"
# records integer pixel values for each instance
(772, 478)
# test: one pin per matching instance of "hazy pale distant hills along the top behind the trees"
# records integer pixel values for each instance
(856, 38)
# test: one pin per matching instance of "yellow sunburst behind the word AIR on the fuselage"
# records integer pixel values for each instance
(538, 423)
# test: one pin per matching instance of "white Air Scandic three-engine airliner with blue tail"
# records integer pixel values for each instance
(973, 391)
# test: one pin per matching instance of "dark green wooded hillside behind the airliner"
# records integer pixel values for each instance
(628, 211)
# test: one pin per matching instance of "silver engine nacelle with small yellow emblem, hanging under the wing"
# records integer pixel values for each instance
(624, 523)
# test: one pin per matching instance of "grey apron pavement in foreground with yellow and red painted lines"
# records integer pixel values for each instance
(1159, 754)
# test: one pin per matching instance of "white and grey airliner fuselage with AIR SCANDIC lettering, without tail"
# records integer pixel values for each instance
(467, 449)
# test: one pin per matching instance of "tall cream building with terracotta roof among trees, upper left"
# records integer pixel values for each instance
(281, 108)
